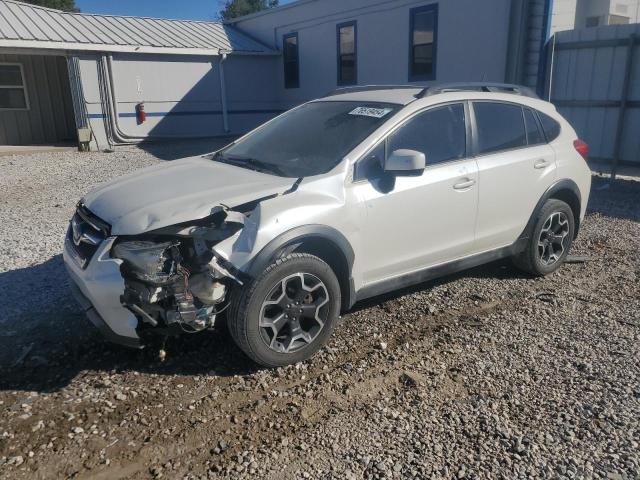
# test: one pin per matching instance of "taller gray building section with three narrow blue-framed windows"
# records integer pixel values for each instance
(329, 43)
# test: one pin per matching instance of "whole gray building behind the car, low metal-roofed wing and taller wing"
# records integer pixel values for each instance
(68, 75)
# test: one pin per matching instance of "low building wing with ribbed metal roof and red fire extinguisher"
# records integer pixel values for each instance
(71, 76)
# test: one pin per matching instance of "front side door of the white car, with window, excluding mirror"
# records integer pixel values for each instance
(413, 222)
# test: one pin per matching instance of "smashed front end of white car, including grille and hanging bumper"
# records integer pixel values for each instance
(164, 282)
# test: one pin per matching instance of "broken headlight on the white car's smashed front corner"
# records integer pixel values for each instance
(149, 261)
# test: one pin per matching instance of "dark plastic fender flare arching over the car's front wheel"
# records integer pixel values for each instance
(296, 236)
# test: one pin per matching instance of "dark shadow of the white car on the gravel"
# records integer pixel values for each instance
(46, 341)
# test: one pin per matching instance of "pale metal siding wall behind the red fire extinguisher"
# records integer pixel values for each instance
(172, 84)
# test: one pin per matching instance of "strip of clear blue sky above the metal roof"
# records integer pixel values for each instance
(184, 9)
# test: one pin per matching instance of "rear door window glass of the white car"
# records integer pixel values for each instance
(500, 127)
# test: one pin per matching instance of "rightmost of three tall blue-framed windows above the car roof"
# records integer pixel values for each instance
(423, 42)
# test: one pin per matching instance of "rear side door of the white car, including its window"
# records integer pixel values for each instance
(515, 168)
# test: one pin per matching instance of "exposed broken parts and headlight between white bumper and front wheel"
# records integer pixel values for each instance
(174, 281)
